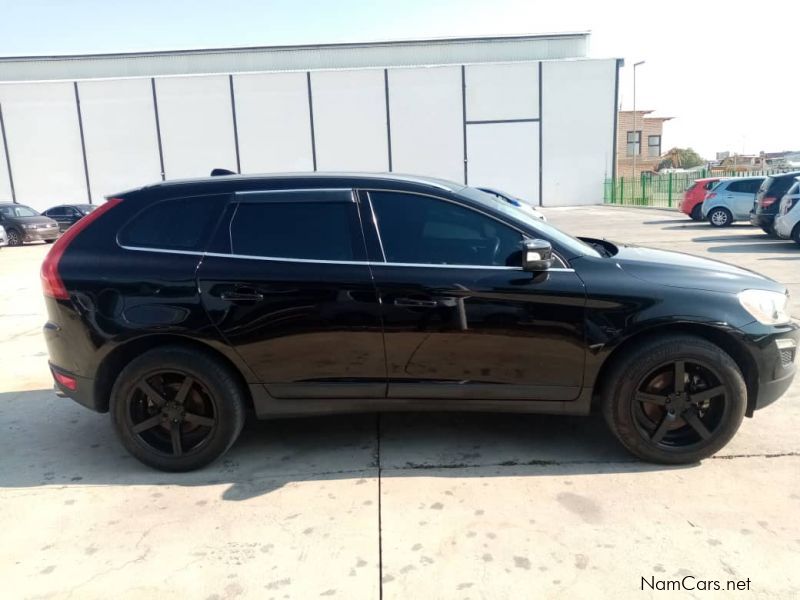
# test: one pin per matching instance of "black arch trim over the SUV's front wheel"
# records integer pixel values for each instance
(719, 337)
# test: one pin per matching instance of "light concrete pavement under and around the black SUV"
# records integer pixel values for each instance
(396, 506)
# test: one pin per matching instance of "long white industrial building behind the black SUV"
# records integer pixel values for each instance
(529, 114)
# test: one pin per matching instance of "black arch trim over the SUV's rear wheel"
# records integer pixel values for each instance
(120, 356)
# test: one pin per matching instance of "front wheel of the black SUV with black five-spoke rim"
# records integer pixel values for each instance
(637, 423)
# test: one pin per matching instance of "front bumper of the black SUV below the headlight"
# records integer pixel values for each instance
(775, 350)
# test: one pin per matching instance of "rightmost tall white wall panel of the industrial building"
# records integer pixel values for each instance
(577, 130)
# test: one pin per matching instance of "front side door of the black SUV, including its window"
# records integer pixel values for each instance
(461, 318)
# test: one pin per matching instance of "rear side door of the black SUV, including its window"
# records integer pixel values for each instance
(287, 283)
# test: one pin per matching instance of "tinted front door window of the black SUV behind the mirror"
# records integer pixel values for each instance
(419, 229)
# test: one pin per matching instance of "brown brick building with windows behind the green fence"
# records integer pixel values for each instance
(639, 147)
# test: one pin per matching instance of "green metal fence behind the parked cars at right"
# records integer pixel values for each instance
(664, 190)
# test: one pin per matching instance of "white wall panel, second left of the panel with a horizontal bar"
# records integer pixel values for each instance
(350, 120)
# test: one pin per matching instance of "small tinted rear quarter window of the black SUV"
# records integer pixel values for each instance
(177, 224)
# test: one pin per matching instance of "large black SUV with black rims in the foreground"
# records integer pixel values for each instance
(179, 306)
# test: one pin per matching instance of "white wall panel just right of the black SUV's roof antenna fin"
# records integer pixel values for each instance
(273, 122)
